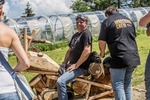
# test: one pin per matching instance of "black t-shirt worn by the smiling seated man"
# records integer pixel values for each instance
(77, 44)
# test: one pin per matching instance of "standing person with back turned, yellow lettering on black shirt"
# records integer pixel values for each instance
(118, 32)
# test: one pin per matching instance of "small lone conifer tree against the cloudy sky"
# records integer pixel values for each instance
(28, 11)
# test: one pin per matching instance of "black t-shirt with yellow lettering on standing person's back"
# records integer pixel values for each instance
(119, 33)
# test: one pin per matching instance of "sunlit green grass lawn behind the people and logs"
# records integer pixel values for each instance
(57, 55)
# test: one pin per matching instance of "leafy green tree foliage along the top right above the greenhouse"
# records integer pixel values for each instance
(94, 5)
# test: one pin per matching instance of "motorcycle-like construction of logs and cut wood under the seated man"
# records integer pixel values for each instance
(96, 85)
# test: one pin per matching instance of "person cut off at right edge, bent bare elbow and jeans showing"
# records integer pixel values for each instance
(145, 21)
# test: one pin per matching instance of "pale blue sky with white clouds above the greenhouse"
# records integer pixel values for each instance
(16, 8)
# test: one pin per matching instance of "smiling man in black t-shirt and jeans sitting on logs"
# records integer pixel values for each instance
(76, 57)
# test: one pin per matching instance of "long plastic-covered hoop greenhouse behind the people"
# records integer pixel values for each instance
(55, 28)
